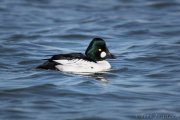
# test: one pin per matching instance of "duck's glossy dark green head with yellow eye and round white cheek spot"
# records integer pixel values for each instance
(97, 50)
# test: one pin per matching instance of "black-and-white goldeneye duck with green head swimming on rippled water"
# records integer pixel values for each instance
(93, 60)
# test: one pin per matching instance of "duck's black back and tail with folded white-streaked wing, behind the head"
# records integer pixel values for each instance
(61, 59)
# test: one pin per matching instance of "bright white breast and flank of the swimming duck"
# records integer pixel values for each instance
(82, 66)
